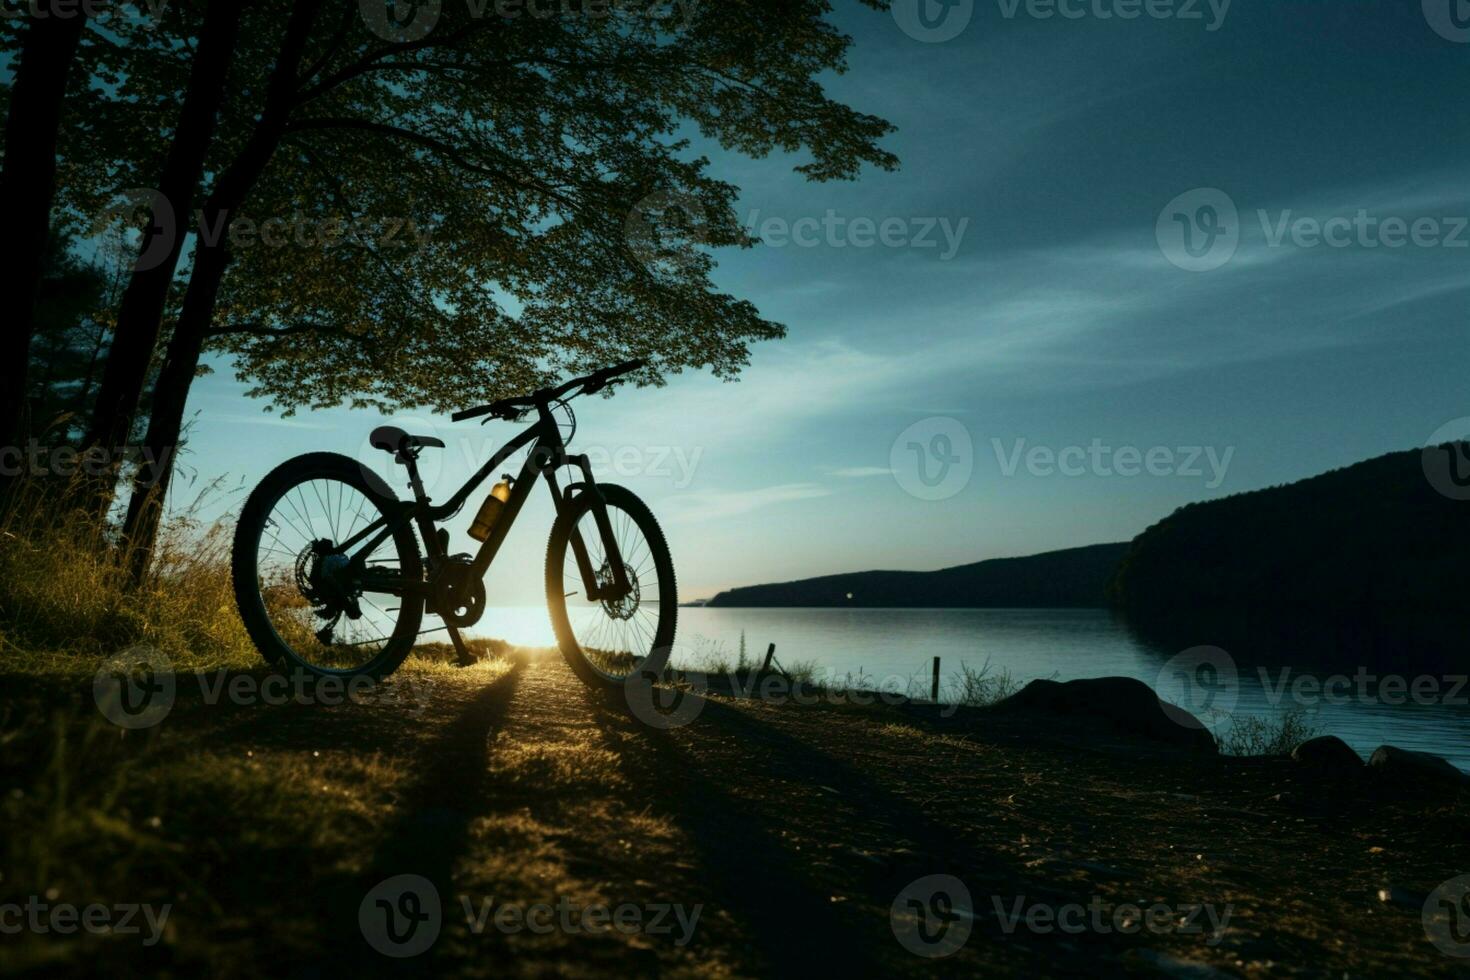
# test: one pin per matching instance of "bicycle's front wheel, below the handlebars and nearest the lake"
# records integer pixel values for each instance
(606, 640)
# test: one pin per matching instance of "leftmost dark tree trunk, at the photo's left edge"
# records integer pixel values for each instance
(29, 187)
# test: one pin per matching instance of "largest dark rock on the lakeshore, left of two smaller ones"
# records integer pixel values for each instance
(1121, 705)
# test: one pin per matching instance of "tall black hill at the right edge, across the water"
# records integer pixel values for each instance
(1375, 534)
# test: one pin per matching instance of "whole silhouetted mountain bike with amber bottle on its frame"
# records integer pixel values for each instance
(315, 594)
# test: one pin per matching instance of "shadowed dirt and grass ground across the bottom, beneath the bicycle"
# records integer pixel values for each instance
(558, 834)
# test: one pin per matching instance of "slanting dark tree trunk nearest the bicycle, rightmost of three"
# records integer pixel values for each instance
(171, 390)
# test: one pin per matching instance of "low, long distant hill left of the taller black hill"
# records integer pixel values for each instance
(1071, 578)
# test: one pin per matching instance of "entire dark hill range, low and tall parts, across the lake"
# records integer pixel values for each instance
(1375, 536)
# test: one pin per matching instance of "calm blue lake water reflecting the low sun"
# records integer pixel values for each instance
(894, 649)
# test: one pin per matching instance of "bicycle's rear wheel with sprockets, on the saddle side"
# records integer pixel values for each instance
(302, 599)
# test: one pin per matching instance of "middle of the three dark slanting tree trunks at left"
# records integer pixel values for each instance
(140, 314)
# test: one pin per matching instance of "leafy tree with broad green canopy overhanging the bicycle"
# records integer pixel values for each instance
(548, 167)
